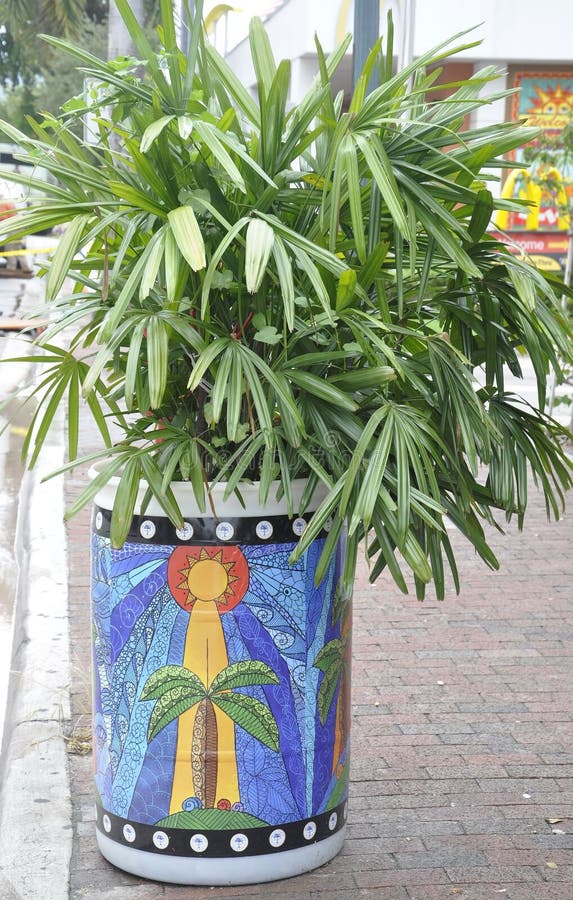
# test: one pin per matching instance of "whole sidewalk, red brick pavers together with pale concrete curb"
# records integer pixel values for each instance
(462, 772)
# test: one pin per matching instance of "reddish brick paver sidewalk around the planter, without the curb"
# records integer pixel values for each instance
(462, 759)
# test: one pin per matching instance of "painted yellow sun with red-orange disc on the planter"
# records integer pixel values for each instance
(208, 575)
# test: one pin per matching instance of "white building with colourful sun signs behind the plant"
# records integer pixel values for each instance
(530, 42)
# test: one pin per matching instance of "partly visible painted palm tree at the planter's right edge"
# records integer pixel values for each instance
(334, 662)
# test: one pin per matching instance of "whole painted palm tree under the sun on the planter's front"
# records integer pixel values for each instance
(178, 690)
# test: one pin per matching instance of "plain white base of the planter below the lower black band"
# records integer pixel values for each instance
(215, 872)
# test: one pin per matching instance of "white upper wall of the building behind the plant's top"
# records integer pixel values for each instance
(511, 31)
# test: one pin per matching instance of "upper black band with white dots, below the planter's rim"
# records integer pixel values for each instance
(210, 531)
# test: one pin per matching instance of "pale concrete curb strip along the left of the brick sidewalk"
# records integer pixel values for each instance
(35, 807)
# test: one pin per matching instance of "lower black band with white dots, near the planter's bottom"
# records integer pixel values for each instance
(221, 843)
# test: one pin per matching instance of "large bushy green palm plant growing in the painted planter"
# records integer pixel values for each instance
(264, 293)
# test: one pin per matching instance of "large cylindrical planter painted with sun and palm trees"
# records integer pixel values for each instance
(221, 695)
